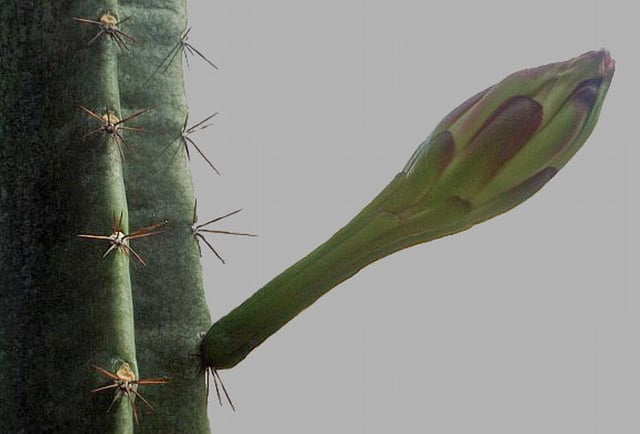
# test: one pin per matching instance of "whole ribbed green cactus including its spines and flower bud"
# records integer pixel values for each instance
(103, 311)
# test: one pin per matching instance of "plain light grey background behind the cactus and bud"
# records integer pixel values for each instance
(528, 323)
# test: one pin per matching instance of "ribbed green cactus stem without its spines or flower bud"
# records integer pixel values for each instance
(64, 307)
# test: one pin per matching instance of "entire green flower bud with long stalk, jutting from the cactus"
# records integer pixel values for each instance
(487, 156)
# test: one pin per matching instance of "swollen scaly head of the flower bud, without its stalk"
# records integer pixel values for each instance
(498, 148)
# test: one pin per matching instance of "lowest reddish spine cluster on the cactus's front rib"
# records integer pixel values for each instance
(125, 383)
